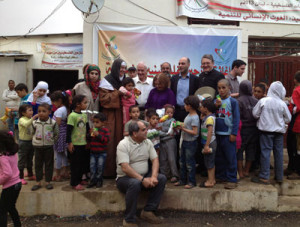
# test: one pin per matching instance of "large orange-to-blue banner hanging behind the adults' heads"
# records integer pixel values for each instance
(156, 44)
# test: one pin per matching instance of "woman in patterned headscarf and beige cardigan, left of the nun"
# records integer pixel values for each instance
(90, 88)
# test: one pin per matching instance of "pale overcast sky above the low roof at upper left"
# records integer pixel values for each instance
(19, 16)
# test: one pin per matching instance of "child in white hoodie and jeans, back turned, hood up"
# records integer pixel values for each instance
(273, 116)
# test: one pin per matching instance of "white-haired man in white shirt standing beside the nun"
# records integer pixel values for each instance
(144, 84)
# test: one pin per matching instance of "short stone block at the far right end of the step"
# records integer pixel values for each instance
(288, 203)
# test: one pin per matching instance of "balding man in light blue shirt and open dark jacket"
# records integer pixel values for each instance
(183, 85)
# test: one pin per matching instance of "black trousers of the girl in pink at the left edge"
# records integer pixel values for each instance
(8, 201)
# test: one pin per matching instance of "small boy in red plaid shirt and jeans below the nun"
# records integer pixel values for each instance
(98, 146)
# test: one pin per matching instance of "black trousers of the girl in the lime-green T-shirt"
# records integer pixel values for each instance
(78, 165)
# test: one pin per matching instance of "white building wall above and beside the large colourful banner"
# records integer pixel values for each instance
(163, 13)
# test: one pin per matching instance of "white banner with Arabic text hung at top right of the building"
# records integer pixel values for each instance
(275, 11)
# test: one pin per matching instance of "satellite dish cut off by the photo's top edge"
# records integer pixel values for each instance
(88, 6)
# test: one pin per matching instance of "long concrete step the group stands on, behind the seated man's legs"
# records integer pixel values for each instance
(64, 201)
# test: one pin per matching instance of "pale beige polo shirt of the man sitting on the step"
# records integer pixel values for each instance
(135, 154)
